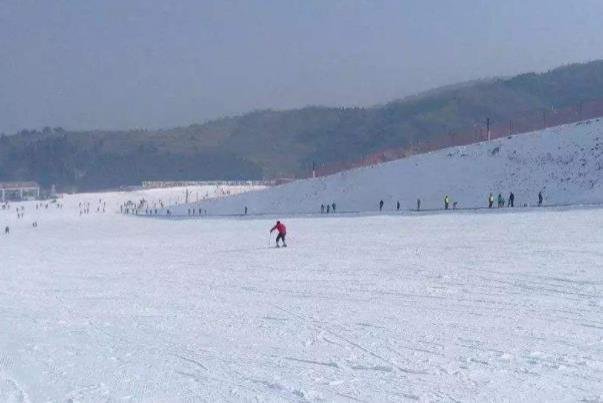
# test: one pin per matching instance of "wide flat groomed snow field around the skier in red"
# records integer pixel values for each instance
(473, 306)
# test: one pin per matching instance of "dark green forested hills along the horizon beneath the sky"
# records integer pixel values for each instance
(286, 143)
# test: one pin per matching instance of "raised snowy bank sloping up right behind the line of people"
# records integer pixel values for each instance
(564, 162)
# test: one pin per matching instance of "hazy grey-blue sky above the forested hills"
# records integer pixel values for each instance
(85, 64)
